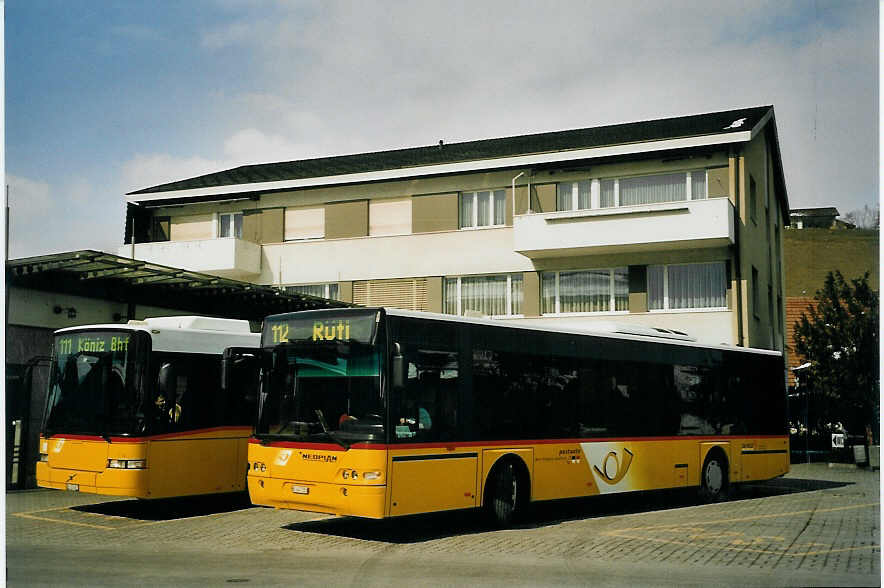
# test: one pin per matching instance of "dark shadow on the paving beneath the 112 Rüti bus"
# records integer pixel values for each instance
(422, 528)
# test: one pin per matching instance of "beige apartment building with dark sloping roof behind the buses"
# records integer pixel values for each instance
(673, 223)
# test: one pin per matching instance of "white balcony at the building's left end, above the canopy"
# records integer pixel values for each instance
(229, 258)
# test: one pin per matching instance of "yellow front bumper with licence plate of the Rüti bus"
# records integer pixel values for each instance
(337, 499)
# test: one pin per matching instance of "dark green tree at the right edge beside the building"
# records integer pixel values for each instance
(838, 337)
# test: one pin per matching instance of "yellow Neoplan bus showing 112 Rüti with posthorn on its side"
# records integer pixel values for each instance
(383, 412)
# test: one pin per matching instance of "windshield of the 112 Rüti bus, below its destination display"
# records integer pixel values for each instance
(323, 392)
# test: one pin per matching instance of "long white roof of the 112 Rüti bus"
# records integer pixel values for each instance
(607, 329)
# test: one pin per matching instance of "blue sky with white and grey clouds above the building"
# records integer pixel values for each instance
(107, 97)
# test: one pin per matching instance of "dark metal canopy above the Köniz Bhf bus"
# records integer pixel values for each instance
(96, 274)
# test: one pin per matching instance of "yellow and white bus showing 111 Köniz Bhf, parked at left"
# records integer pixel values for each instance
(139, 410)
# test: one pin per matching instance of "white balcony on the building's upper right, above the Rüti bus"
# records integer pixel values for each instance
(669, 225)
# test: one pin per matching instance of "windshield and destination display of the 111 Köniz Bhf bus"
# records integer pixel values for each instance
(92, 387)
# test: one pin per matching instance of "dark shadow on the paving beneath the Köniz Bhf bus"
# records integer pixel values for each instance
(169, 508)
